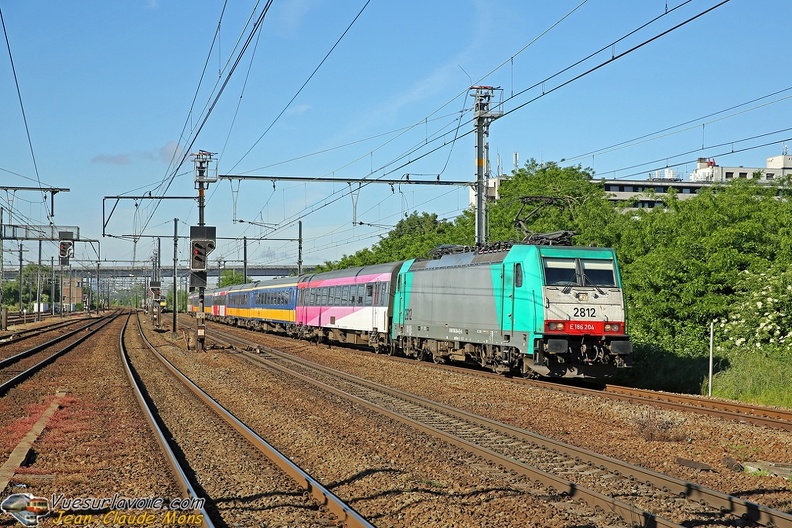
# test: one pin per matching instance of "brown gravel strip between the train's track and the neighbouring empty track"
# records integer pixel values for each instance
(650, 437)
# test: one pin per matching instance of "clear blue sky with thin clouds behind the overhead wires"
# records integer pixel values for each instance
(110, 98)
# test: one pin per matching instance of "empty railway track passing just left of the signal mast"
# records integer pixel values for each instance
(237, 471)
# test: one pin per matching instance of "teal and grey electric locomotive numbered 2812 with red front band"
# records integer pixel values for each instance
(555, 311)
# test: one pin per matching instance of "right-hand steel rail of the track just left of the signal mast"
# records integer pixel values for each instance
(322, 495)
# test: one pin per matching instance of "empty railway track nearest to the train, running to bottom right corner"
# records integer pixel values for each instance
(637, 494)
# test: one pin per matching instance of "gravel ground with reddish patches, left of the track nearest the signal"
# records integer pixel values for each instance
(97, 444)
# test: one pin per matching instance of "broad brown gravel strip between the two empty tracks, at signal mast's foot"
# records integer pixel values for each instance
(391, 474)
